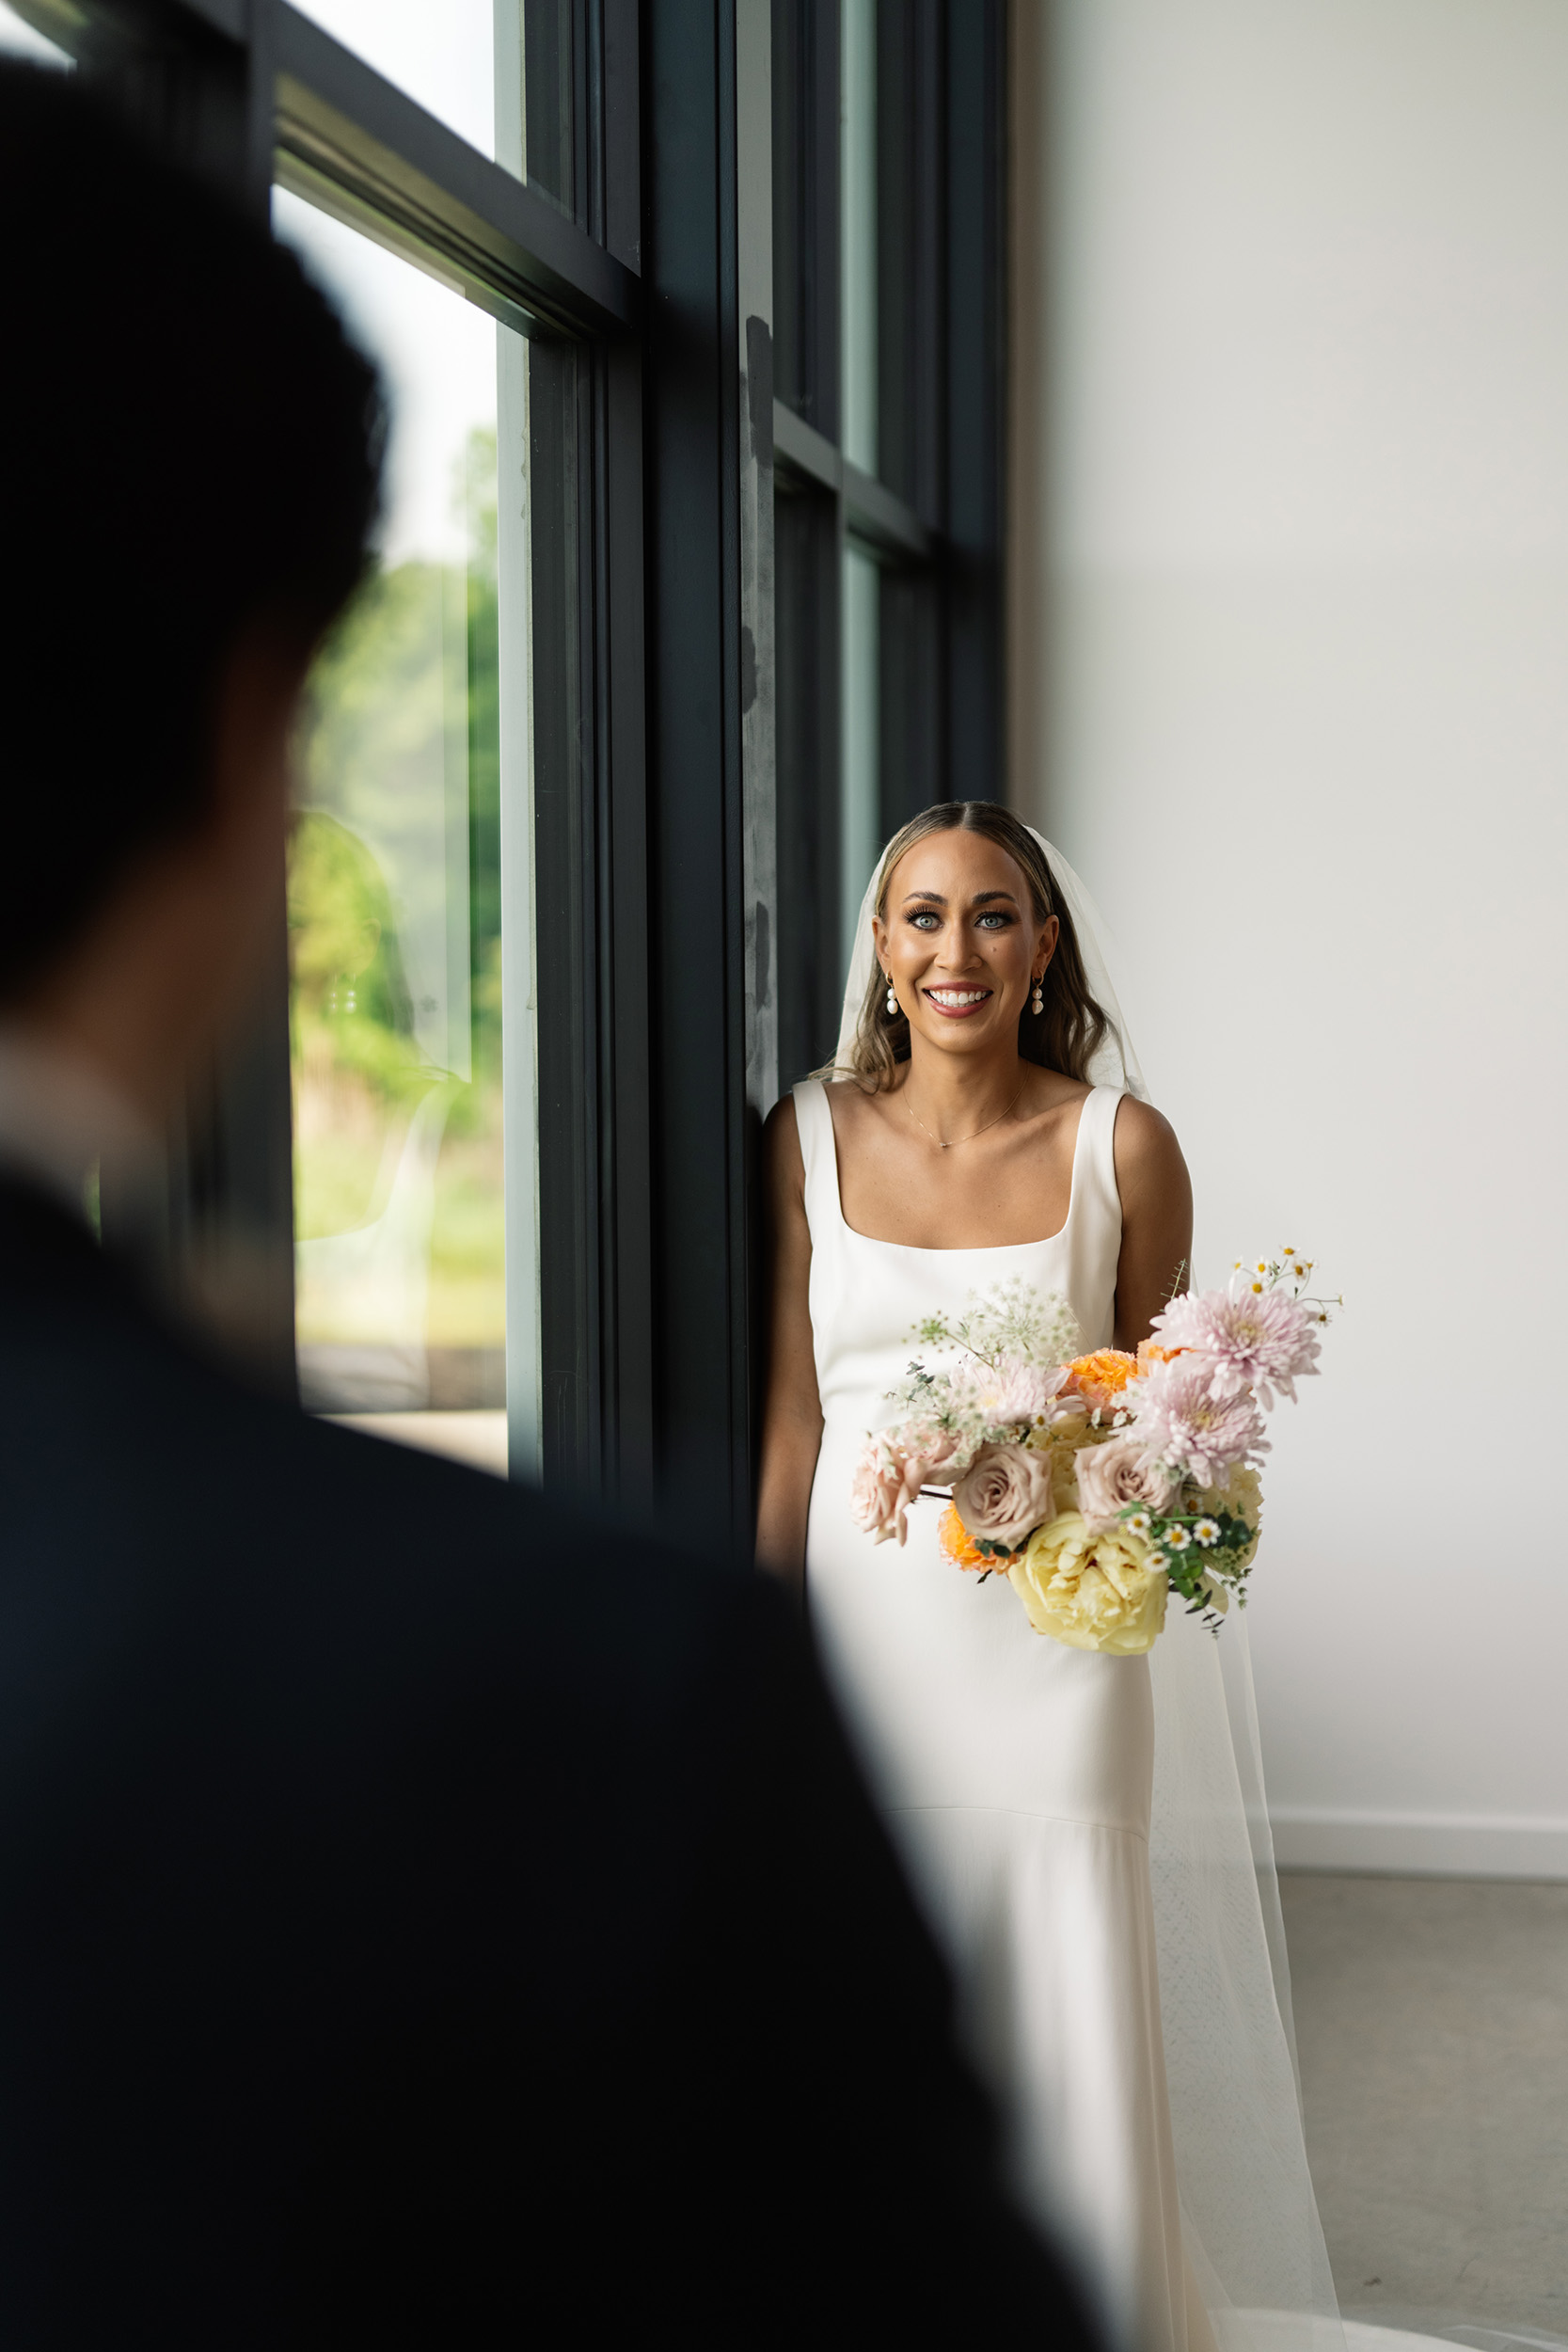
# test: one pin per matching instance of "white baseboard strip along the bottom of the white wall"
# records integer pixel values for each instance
(1423, 1845)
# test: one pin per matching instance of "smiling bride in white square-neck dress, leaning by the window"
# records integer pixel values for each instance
(963, 1140)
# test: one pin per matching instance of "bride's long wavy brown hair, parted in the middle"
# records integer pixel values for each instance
(1071, 1029)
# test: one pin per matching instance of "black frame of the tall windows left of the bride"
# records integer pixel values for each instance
(671, 751)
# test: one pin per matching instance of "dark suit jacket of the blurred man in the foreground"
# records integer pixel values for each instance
(424, 1906)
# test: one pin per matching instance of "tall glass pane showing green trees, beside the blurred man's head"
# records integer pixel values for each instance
(396, 897)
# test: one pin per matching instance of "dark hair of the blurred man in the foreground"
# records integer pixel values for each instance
(189, 446)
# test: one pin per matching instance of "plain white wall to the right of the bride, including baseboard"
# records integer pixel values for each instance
(1306, 556)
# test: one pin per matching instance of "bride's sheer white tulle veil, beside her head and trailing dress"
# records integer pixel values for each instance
(1249, 2212)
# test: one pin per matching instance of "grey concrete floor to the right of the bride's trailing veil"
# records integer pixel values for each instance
(1433, 2031)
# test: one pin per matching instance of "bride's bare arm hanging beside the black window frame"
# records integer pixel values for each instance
(793, 1415)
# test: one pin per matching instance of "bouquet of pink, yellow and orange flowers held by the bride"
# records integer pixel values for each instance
(1099, 1483)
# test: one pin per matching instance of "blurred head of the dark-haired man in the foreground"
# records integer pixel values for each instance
(192, 476)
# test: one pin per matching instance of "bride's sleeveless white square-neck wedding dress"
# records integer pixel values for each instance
(1014, 1775)
